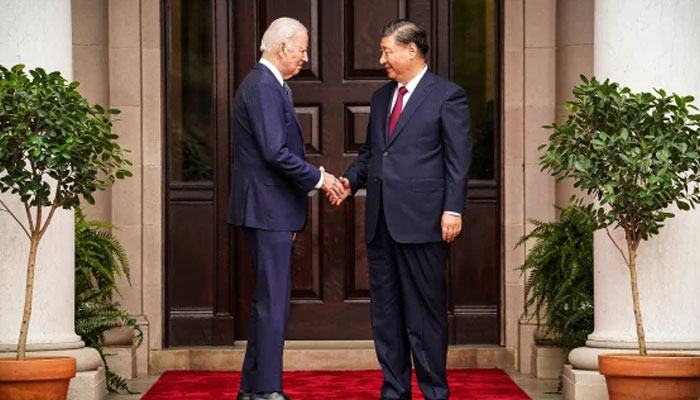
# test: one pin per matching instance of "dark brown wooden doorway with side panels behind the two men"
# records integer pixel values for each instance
(209, 49)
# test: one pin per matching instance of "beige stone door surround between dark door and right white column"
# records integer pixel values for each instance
(537, 196)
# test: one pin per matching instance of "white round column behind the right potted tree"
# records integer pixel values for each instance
(644, 44)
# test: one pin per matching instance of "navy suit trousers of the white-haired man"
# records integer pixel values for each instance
(271, 252)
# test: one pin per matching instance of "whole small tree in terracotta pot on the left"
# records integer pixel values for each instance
(54, 150)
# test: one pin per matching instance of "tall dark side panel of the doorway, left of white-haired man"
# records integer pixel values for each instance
(190, 220)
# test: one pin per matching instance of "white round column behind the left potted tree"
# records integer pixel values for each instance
(38, 34)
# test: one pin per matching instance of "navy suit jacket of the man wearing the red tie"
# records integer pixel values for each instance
(422, 168)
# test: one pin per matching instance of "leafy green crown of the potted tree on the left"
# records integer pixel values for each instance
(49, 130)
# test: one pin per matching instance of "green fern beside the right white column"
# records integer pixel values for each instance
(560, 283)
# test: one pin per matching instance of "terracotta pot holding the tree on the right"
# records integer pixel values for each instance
(657, 376)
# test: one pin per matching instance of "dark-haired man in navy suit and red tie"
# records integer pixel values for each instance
(415, 163)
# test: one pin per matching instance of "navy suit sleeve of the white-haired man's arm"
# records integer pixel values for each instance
(267, 118)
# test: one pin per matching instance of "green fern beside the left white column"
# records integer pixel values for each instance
(99, 261)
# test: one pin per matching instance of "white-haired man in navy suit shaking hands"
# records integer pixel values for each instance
(270, 184)
